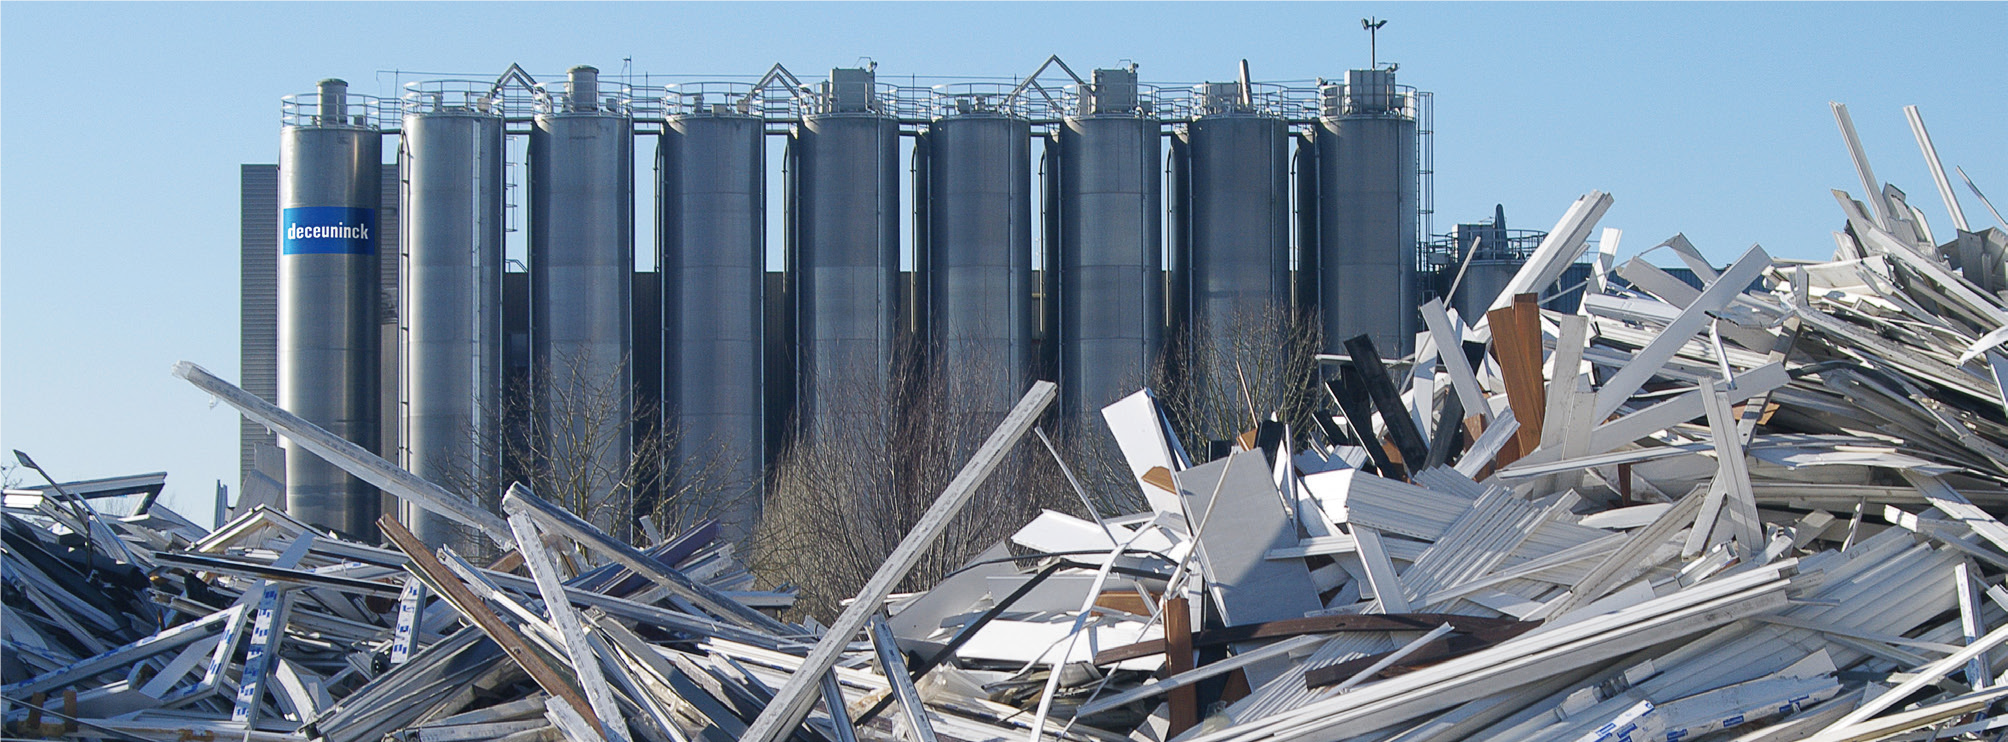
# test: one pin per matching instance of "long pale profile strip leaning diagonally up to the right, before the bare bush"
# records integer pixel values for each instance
(794, 699)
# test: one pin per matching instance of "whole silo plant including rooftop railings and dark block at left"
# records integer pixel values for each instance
(1059, 228)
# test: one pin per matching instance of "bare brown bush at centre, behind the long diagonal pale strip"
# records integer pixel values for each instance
(840, 500)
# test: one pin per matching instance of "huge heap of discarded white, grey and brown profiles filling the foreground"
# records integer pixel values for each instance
(1762, 508)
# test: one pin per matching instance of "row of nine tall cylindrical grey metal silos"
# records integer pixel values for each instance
(1111, 298)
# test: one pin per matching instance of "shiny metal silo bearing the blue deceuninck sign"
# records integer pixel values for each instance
(330, 165)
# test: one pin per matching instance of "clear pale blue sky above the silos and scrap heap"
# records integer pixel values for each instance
(125, 123)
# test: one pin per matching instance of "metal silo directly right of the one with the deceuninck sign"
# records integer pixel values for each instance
(451, 298)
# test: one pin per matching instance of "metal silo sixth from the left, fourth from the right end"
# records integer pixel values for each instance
(979, 248)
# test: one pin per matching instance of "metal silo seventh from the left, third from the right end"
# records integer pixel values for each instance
(1111, 286)
